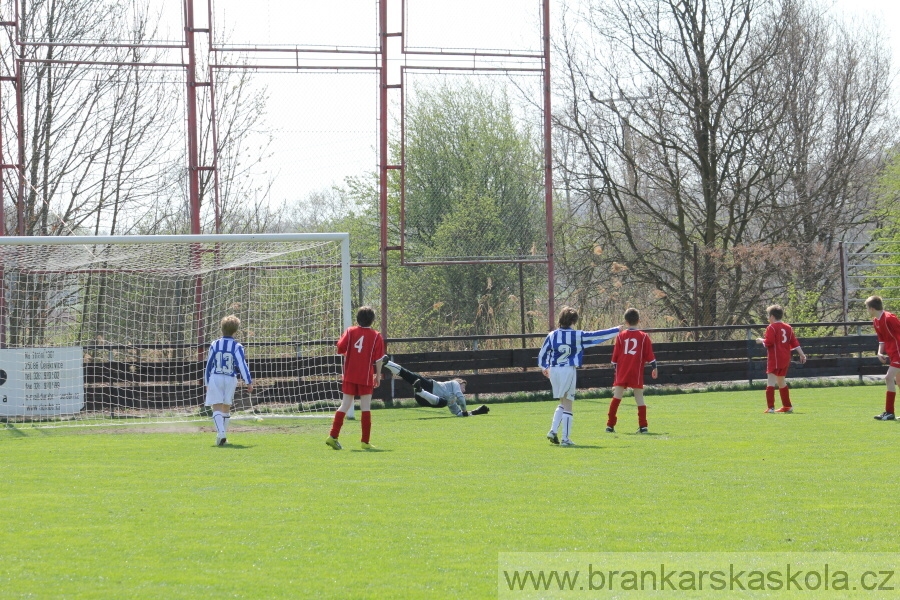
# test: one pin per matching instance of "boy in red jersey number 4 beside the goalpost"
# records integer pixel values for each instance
(359, 345)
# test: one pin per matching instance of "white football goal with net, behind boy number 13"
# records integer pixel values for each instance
(110, 330)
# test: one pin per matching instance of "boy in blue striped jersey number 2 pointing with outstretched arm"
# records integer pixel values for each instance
(561, 354)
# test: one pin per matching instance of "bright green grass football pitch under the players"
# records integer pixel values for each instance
(277, 514)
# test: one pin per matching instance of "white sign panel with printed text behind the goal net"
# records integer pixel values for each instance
(41, 381)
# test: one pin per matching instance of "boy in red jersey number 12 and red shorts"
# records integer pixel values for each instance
(631, 351)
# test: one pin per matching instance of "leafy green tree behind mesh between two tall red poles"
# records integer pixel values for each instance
(474, 192)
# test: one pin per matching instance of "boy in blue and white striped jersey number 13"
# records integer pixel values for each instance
(225, 364)
